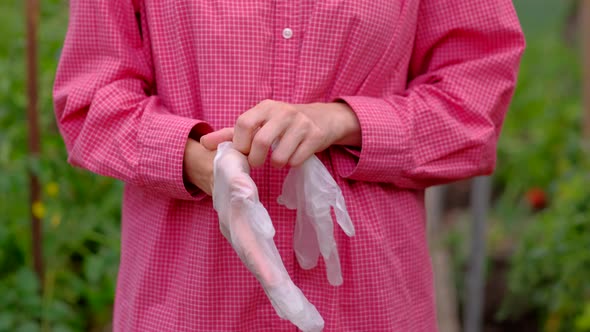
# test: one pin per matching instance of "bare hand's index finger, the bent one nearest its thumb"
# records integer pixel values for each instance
(247, 124)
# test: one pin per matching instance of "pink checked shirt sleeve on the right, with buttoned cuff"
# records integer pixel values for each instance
(445, 126)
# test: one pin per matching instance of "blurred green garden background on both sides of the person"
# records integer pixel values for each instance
(538, 231)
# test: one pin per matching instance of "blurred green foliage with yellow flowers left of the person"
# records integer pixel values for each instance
(80, 211)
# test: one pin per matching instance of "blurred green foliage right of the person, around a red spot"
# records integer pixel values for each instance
(541, 146)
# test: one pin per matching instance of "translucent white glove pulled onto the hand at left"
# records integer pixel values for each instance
(245, 223)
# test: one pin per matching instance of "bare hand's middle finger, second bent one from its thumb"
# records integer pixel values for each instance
(264, 138)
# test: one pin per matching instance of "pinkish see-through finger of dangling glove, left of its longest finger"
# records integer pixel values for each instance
(305, 242)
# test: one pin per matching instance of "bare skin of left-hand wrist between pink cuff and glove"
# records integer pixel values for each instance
(198, 165)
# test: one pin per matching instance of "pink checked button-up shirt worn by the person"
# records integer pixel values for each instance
(430, 81)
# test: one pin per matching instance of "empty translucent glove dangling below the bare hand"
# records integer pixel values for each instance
(311, 190)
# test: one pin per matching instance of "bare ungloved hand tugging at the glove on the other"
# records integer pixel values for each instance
(300, 129)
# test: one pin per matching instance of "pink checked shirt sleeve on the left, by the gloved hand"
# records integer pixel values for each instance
(112, 121)
